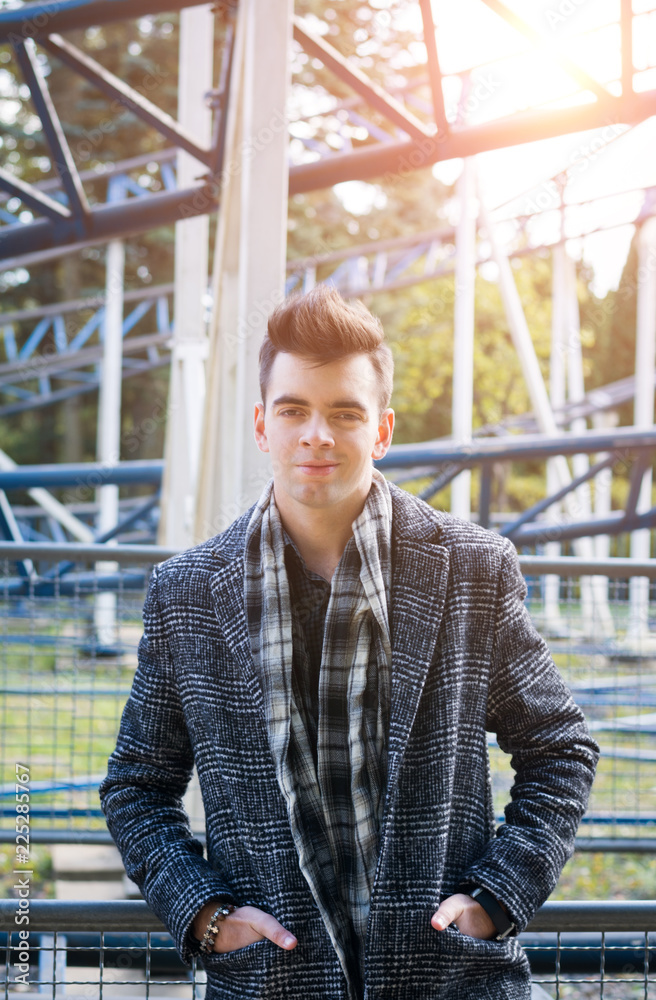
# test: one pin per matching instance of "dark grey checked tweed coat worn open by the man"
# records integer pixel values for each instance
(465, 659)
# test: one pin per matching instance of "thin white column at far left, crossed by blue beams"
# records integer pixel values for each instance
(109, 427)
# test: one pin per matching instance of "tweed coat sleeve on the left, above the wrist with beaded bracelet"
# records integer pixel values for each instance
(141, 796)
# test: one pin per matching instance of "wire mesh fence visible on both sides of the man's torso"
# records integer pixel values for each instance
(68, 653)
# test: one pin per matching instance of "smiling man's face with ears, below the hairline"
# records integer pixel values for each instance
(321, 427)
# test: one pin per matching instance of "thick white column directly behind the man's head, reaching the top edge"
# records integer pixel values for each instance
(249, 261)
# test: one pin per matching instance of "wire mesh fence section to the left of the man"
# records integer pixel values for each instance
(68, 653)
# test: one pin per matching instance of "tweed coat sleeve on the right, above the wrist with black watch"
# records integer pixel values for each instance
(552, 753)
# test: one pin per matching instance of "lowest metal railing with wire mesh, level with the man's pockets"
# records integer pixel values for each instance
(576, 949)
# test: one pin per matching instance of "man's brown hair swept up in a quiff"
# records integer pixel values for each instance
(322, 327)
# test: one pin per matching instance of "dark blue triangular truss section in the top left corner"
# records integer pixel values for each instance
(77, 221)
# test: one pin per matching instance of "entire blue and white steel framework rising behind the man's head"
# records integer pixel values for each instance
(377, 131)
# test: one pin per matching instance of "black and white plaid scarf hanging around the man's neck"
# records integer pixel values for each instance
(335, 806)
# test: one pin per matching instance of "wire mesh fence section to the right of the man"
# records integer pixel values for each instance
(609, 664)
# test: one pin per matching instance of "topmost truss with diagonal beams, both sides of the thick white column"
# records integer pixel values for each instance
(416, 132)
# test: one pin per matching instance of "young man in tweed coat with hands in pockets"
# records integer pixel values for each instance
(331, 664)
